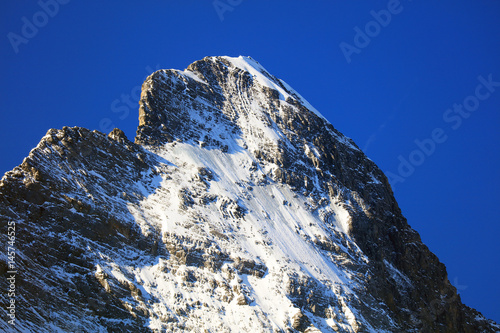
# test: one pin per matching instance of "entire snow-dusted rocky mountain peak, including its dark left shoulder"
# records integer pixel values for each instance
(238, 208)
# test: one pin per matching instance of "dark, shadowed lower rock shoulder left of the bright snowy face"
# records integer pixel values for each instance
(64, 200)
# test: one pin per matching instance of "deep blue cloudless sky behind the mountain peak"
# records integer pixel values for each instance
(83, 64)
